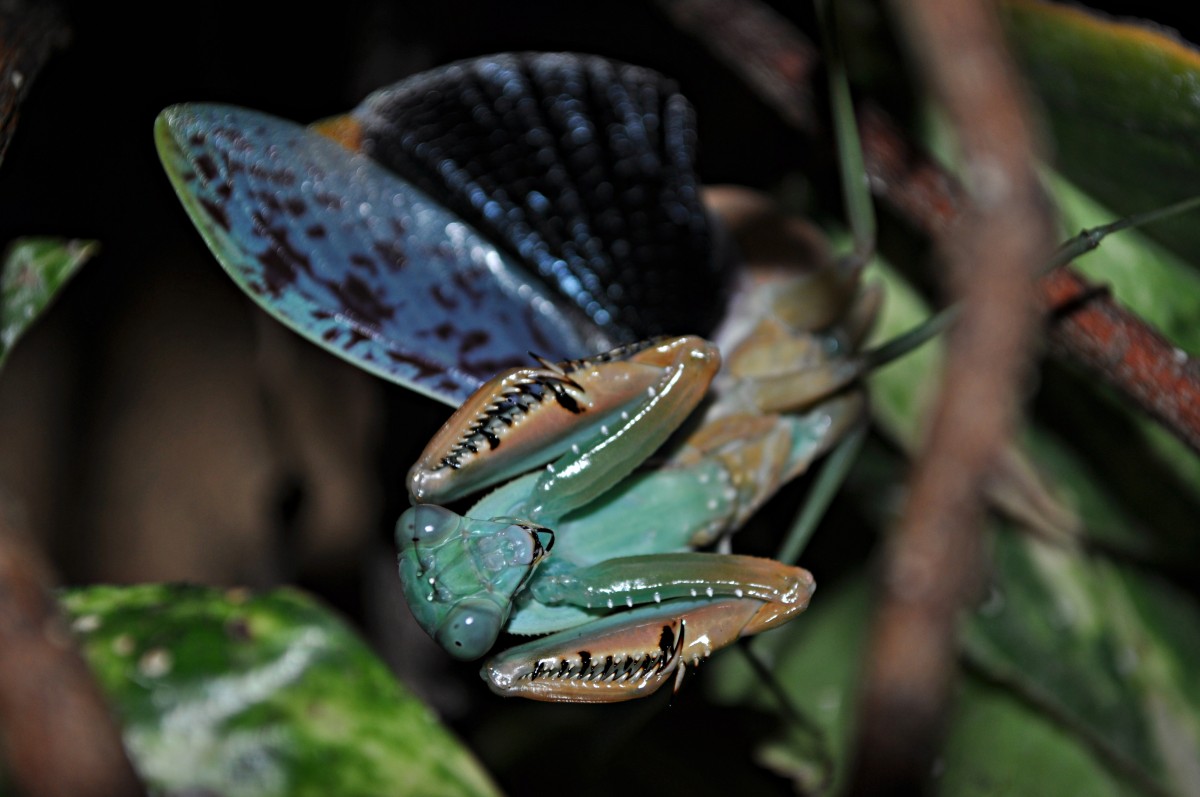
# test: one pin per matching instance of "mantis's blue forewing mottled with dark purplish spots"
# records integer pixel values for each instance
(358, 260)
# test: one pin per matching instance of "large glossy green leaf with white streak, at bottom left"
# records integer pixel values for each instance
(235, 694)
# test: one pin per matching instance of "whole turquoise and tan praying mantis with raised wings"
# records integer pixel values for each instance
(611, 460)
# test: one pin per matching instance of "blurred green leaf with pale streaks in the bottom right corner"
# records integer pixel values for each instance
(1105, 649)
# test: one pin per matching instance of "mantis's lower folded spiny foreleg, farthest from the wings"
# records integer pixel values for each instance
(632, 654)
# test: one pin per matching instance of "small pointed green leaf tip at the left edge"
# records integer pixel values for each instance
(34, 271)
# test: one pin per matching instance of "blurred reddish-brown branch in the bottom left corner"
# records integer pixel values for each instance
(56, 729)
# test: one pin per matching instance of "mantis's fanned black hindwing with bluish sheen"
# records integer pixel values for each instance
(581, 166)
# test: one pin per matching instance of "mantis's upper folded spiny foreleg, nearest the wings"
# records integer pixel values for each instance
(599, 418)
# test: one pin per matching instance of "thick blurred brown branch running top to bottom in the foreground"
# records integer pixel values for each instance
(933, 566)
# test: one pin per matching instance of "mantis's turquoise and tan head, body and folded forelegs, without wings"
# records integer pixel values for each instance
(601, 556)
